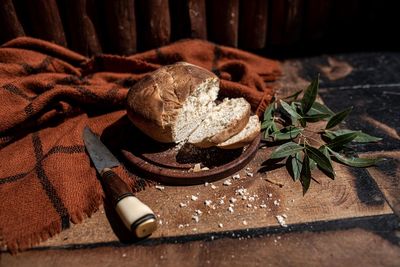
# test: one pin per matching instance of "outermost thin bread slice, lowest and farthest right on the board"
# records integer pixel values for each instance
(244, 137)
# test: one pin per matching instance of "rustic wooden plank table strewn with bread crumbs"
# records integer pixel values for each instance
(352, 220)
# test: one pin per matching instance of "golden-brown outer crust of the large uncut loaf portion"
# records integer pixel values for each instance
(153, 103)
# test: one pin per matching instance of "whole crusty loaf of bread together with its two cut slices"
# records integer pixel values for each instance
(176, 103)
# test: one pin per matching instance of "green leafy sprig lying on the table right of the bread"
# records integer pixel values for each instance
(285, 123)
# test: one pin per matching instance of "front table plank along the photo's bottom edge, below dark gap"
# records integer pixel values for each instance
(334, 248)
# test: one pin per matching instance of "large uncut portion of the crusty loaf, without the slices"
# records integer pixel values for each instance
(169, 104)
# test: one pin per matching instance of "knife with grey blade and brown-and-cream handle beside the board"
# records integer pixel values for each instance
(135, 215)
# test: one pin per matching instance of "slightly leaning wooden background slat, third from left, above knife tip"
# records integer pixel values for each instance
(82, 34)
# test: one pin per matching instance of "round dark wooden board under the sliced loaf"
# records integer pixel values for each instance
(168, 164)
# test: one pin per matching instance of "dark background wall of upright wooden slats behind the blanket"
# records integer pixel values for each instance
(274, 28)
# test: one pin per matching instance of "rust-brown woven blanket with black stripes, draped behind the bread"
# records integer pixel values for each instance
(49, 93)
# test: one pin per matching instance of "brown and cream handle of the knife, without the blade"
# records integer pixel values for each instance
(135, 215)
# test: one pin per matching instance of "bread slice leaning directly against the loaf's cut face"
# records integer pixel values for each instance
(224, 121)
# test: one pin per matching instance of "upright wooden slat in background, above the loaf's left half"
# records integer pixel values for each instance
(153, 24)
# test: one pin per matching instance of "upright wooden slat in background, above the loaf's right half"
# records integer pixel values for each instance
(197, 18)
